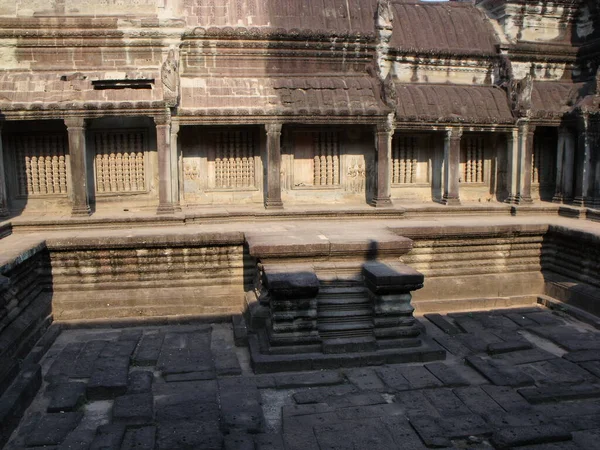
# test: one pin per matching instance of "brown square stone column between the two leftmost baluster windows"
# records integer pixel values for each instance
(80, 196)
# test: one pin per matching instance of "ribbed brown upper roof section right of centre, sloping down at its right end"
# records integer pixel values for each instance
(442, 27)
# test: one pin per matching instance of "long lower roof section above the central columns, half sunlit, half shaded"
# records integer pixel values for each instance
(335, 95)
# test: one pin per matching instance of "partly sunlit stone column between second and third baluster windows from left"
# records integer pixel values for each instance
(163, 147)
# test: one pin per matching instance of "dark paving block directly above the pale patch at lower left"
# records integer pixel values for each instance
(109, 378)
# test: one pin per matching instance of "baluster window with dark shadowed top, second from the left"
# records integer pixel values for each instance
(120, 161)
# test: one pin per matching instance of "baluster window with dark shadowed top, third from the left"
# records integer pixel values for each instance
(234, 159)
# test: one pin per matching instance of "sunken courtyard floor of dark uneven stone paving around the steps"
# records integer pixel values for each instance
(521, 378)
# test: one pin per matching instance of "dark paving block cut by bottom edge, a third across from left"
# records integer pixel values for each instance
(203, 435)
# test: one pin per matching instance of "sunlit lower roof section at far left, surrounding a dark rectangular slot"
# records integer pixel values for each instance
(47, 89)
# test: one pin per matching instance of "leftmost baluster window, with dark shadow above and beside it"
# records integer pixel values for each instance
(40, 163)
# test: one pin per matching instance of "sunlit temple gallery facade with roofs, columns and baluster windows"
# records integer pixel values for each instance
(170, 104)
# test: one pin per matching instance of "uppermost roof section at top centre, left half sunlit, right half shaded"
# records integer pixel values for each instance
(338, 16)
